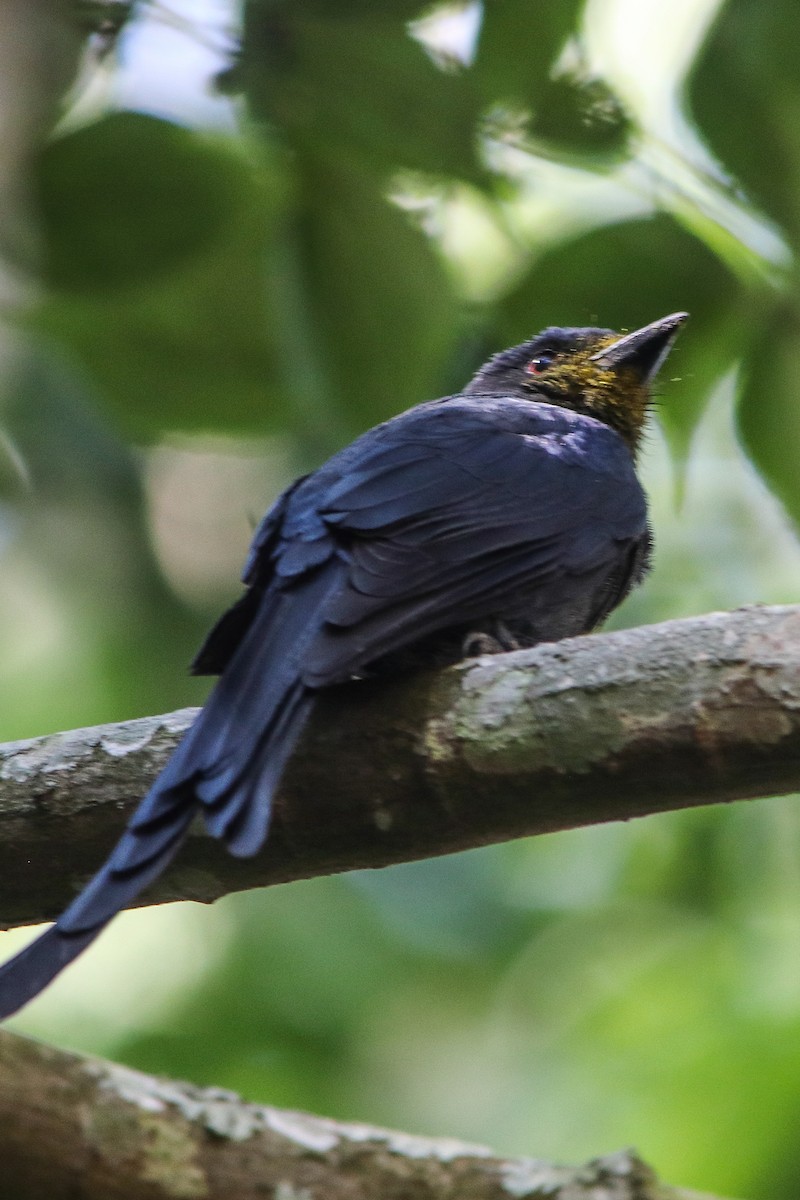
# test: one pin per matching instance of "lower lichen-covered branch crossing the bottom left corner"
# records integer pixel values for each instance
(104, 1132)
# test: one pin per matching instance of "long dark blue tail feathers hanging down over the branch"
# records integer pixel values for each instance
(227, 767)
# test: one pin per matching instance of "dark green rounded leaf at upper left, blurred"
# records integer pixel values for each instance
(130, 199)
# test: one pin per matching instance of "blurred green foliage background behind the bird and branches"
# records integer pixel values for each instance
(233, 238)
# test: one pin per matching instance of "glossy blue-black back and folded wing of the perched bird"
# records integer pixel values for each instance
(449, 512)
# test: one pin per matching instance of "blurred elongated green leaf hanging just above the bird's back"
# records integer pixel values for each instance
(382, 307)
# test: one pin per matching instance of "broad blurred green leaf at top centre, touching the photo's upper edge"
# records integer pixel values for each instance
(356, 83)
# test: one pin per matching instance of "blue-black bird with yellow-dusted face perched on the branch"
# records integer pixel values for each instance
(507, 515)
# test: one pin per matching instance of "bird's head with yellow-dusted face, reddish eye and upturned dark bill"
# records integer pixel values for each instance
(593, 371)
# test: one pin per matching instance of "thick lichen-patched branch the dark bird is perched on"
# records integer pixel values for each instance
(588, 730)
